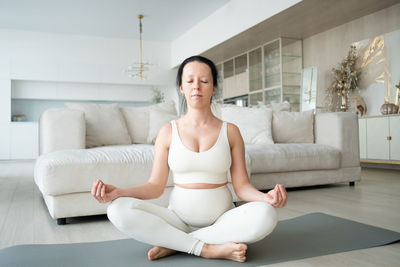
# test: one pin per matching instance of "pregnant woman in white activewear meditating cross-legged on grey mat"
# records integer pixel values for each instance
(199, 148)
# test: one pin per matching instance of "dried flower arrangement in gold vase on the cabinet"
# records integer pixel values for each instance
(345, 80)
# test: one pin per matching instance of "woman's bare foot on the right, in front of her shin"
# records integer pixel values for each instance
(230, 250)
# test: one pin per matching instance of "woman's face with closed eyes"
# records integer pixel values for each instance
(197, 84)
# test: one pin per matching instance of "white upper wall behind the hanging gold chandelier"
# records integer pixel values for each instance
(69, 58)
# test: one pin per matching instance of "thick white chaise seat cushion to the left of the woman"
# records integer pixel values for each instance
(71, 171)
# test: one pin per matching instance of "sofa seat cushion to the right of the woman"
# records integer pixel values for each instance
(292, 157)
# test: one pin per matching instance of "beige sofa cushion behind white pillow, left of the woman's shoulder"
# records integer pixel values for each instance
(137, 119)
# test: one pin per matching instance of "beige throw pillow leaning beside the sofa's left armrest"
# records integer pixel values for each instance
(105, 124)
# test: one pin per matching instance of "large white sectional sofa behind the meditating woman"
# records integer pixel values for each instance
(66, 168)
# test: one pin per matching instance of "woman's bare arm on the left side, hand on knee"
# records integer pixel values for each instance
(158, 178)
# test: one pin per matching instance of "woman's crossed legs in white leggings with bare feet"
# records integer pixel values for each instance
(161, 227)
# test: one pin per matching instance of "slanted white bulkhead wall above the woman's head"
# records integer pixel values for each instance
(231, 19)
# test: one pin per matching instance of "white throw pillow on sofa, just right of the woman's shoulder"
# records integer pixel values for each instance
(254, 123)
